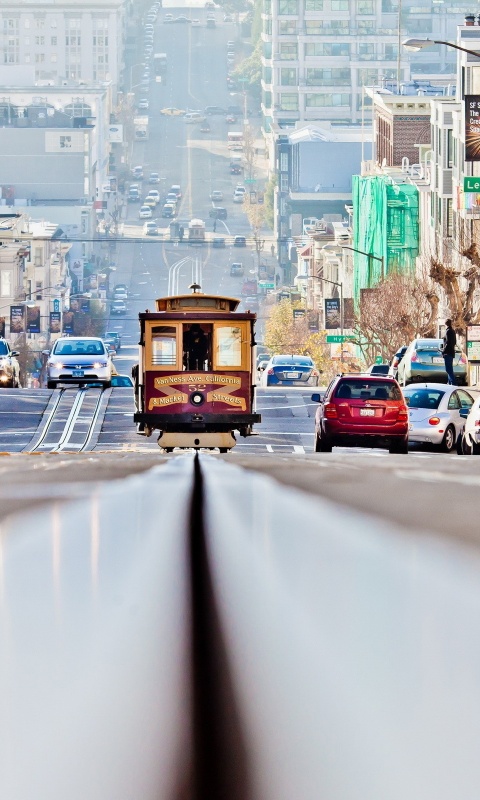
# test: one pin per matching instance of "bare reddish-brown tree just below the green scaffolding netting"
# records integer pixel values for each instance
(393, 313)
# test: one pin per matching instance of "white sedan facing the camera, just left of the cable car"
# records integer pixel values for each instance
(78, 360)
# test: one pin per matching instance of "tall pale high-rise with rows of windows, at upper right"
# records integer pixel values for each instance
(317, 55)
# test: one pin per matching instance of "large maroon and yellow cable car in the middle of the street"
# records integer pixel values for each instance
(195, 381)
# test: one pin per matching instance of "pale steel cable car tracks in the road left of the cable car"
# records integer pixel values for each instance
(75, 422)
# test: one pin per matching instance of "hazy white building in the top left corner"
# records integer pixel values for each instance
(65, 41)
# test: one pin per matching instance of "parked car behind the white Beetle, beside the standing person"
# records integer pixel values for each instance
(423, 361)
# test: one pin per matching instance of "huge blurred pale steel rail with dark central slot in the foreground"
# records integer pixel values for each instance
(198, 632)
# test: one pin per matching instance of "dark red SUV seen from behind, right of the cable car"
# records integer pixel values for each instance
(361, 411)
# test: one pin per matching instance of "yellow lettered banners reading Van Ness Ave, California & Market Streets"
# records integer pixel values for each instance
(173, 396)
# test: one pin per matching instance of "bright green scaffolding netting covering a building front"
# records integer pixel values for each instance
(385, 224)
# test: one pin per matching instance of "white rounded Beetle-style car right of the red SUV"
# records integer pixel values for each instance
(434, 413)
